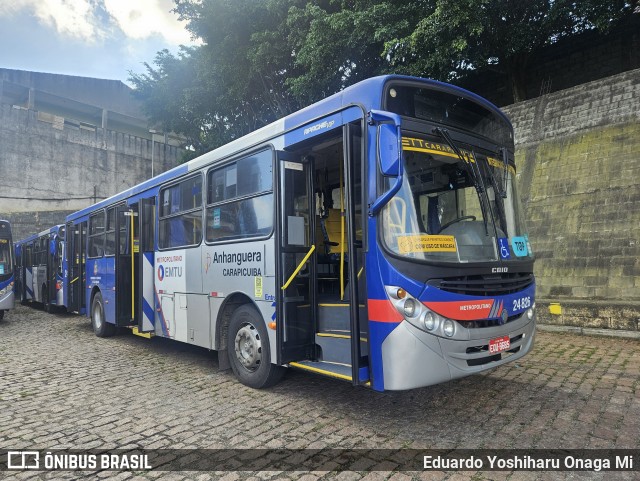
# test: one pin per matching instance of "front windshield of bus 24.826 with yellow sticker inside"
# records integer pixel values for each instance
(455, 206)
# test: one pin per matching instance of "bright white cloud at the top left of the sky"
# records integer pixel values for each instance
(86, 19)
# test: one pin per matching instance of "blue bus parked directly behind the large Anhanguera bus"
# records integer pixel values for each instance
(40, 268)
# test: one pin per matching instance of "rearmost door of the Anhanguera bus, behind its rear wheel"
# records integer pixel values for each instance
(75, 245)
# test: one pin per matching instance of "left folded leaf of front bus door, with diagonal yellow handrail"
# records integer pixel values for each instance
(295, 279)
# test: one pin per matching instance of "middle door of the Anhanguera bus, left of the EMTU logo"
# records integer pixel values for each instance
(126, 244)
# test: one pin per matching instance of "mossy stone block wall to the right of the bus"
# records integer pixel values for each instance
(578, 154)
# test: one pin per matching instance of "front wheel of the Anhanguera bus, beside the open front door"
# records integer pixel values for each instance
(249, 351)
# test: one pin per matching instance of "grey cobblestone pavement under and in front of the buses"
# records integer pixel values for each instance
(61, 388)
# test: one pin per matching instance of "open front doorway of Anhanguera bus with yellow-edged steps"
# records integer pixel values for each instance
(321, 237)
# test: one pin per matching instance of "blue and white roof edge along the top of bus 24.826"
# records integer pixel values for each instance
(367, 93)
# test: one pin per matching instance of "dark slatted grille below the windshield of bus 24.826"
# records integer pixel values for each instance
(485, 285)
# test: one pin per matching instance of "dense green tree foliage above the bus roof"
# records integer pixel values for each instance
(262, 59)
